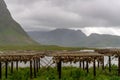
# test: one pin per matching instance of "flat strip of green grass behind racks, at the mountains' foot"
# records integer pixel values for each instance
(38, 47)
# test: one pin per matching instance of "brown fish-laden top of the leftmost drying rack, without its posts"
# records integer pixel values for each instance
(20, 55)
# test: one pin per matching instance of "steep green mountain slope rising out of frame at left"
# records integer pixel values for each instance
(11, 32)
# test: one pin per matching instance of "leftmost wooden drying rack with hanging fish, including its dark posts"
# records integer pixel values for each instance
(16, 56)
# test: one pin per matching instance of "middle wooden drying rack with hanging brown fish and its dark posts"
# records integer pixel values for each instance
(76, 56)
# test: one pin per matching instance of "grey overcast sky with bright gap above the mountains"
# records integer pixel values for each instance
(99, 16)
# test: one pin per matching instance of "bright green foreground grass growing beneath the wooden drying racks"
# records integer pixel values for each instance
(68, 73)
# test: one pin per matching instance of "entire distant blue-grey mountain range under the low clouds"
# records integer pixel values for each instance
(76, 38)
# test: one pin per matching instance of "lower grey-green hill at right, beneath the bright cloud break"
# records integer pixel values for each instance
(104, 40)
